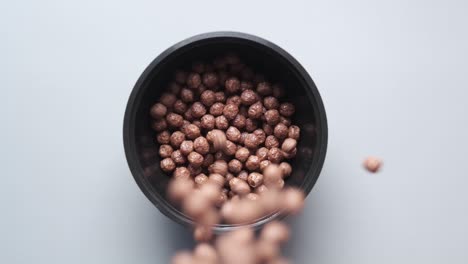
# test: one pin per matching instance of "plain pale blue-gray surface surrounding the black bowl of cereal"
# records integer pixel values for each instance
(393, 76)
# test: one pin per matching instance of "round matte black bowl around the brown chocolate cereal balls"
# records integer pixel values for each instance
(262, 55)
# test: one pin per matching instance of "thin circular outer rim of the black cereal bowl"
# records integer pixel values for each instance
(130, 151)
